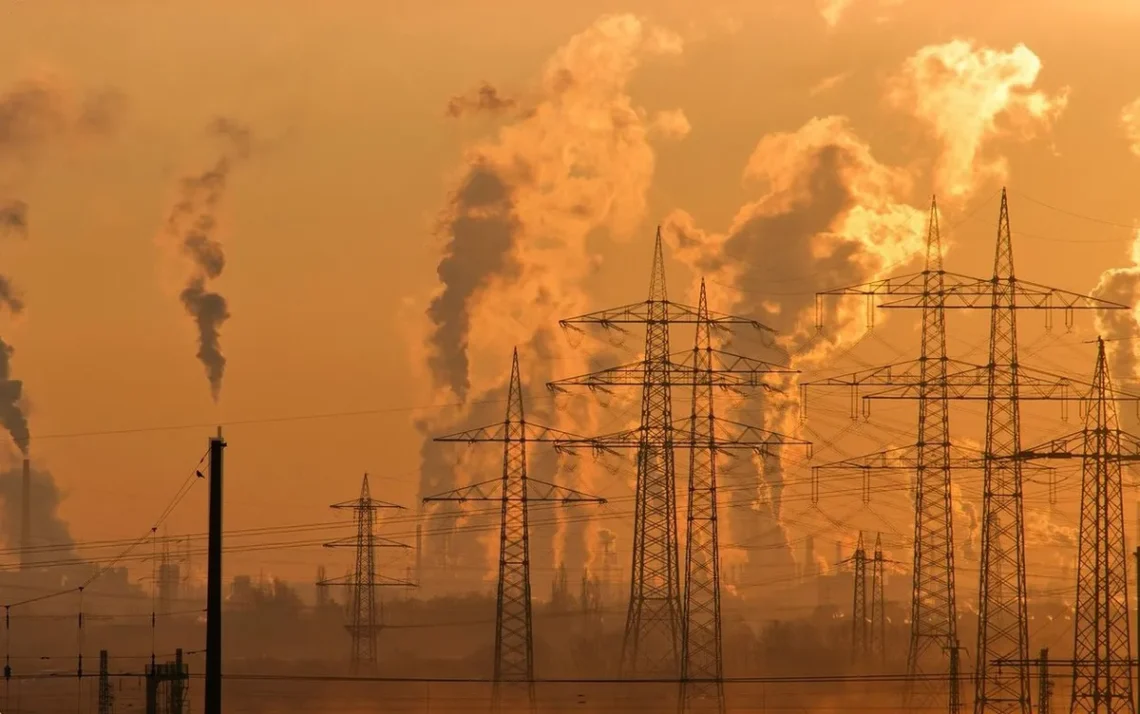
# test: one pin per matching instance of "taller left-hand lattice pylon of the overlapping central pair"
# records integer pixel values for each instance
(653, 632)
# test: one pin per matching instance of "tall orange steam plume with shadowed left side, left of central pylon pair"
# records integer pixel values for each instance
(573, 165)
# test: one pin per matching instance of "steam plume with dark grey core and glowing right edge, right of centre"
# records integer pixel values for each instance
(830, 215)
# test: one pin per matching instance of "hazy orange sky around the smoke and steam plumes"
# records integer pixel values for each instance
(329, 230)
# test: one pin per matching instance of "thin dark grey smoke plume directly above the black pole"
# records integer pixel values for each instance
(194, 224)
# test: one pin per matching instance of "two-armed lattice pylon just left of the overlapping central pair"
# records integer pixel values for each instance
(515, 646)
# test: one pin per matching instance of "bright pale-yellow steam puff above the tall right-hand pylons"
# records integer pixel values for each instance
(960, 92)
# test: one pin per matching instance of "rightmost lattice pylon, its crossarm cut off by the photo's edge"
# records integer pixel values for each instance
(1102, 653)
